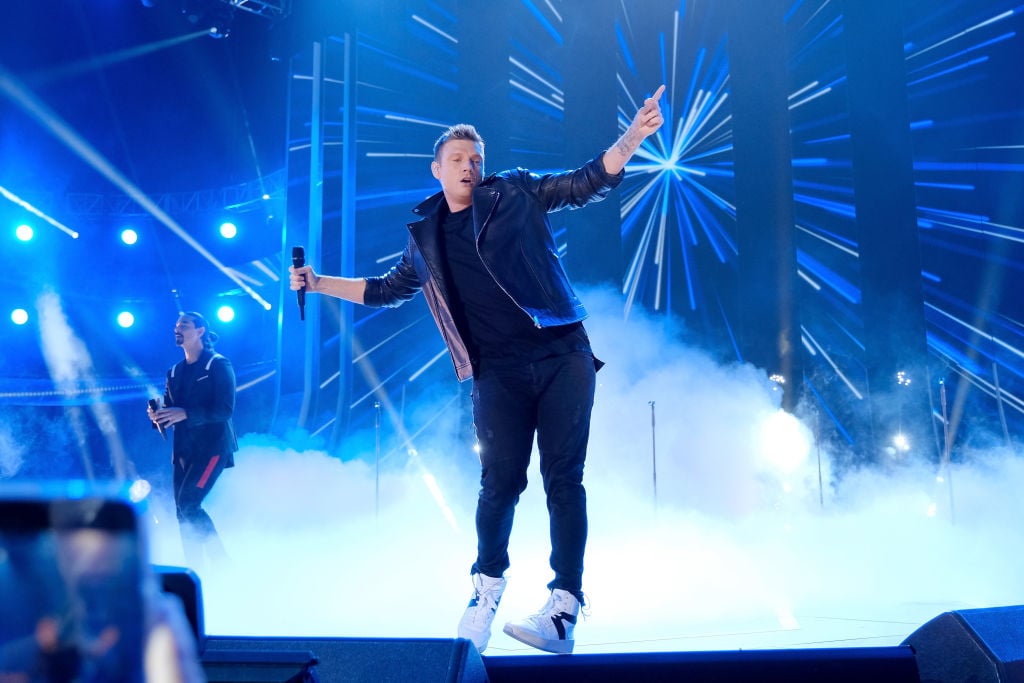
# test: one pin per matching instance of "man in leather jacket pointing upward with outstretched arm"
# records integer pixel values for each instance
(485, 258)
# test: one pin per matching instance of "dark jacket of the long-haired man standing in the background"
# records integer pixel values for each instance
(209, 402)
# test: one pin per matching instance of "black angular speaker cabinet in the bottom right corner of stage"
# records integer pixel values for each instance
(978, 646)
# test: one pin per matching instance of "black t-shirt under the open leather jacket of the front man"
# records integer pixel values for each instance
(494, 327)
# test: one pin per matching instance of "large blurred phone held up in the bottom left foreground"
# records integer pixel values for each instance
(71, 606)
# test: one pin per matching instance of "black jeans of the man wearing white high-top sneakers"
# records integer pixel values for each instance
(553, 400)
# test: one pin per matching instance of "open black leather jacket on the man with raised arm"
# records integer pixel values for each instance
(515, 241)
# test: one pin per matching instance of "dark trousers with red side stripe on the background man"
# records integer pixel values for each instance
(194, 478)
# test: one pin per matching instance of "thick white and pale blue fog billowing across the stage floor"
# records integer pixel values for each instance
(708, 503)
